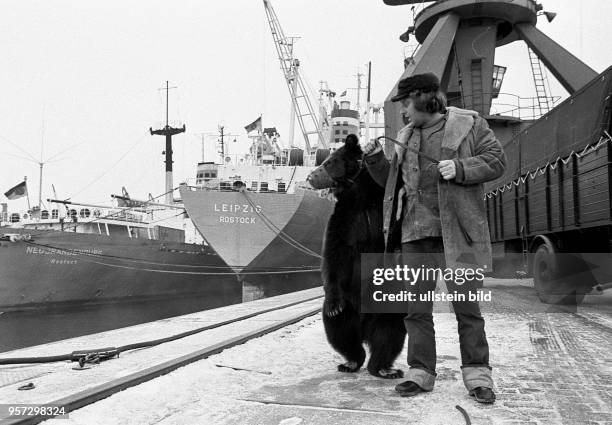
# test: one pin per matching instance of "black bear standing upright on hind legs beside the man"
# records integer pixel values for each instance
(355, 227)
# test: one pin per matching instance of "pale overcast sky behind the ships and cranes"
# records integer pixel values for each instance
(85, 76)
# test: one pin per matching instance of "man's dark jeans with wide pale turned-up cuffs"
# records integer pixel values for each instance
(475, 368)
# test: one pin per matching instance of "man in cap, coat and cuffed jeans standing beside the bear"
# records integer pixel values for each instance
(437, 214)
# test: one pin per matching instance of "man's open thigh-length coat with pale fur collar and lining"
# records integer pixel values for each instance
(479, 158)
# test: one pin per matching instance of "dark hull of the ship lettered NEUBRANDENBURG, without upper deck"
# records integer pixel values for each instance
(63, 269)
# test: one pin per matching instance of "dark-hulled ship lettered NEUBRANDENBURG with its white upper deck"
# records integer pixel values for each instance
(86, 256)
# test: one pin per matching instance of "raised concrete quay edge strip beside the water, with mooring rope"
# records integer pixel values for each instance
(66, 383)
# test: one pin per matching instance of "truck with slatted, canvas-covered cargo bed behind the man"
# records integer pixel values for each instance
(550, 215)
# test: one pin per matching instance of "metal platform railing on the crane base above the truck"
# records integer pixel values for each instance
(512, 105)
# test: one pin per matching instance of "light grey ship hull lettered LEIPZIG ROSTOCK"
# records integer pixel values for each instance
(272, 241)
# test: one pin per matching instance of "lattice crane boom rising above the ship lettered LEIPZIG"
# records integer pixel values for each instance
(301, 105)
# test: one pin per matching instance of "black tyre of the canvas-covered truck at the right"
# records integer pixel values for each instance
(548, 279)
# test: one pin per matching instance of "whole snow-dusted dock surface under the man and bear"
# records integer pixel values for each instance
(550, 367)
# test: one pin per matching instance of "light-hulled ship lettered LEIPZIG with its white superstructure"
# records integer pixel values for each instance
(261, 217)
